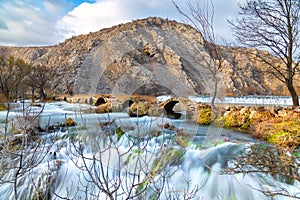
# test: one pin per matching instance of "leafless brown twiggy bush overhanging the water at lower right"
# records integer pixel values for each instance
(281, 164)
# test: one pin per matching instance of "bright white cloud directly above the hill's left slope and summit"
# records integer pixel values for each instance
(89, 17)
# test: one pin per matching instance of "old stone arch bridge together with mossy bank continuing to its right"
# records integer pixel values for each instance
(276, 125)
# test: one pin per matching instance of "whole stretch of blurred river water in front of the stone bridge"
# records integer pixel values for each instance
(113, 156)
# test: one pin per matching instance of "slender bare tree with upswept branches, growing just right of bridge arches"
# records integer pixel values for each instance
(201, 16)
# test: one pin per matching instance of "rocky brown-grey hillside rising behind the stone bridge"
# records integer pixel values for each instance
(151, 56)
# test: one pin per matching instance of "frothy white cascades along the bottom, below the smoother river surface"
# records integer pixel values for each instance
(63, 173)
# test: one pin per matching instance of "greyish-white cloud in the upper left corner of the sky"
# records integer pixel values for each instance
(26, 23)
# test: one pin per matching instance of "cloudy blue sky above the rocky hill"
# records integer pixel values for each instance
(48, 22)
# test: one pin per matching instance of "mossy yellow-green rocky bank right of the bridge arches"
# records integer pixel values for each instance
(276, 125)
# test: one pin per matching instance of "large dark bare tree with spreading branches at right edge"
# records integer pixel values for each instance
(273, 26)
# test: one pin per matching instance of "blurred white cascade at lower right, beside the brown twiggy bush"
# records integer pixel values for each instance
(202, 169)
